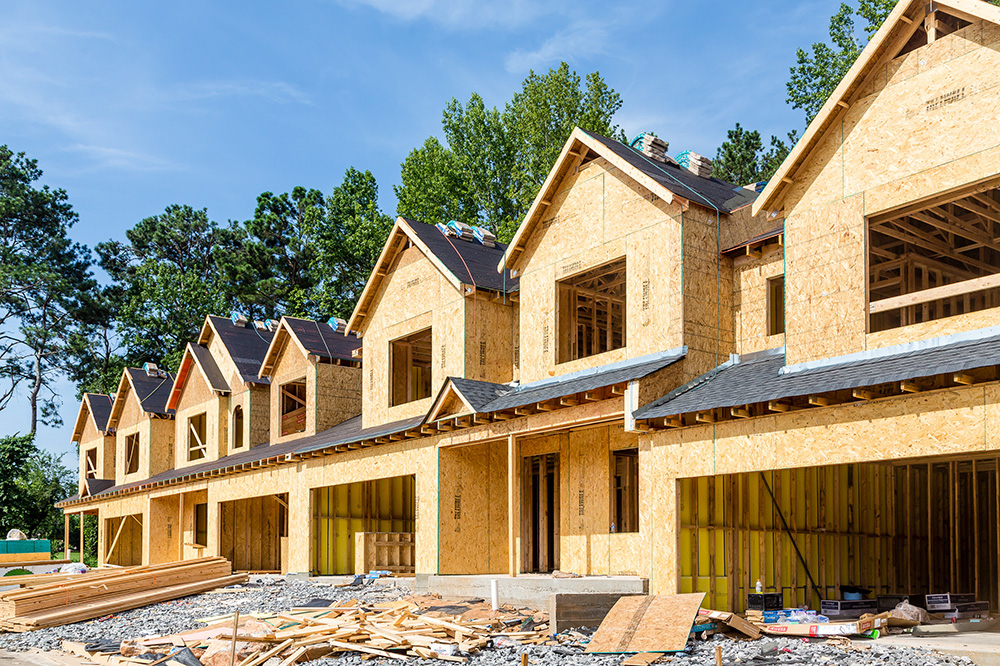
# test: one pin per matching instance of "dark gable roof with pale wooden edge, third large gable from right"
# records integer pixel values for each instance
(463, 263)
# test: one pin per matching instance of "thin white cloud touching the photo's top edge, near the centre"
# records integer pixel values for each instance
(461, 13)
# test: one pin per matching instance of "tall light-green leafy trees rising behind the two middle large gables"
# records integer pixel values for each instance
(495, 161)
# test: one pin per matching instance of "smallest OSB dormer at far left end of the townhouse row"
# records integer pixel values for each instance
(96, 444)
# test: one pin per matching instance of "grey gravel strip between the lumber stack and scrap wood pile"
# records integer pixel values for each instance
(272, 595)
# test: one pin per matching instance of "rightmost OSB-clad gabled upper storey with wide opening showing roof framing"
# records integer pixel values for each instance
(891, 199)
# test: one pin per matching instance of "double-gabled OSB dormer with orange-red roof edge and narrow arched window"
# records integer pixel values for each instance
(221, 406)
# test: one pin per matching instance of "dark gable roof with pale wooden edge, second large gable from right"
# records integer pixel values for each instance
(668, 181)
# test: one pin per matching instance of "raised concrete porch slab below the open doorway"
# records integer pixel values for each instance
(532, 590)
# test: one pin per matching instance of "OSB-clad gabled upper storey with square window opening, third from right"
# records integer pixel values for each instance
(435, 306)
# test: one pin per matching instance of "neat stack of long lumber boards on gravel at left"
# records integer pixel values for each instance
(88, 596)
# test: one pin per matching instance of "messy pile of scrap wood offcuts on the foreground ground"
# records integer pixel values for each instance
(394, 630)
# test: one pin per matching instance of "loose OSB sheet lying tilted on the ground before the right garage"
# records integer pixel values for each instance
(657, 623)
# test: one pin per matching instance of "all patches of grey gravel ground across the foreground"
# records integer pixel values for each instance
(275, 595)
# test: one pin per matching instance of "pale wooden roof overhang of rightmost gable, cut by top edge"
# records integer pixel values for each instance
(901, 24)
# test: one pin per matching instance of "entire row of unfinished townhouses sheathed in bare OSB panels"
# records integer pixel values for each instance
(664, 375)
